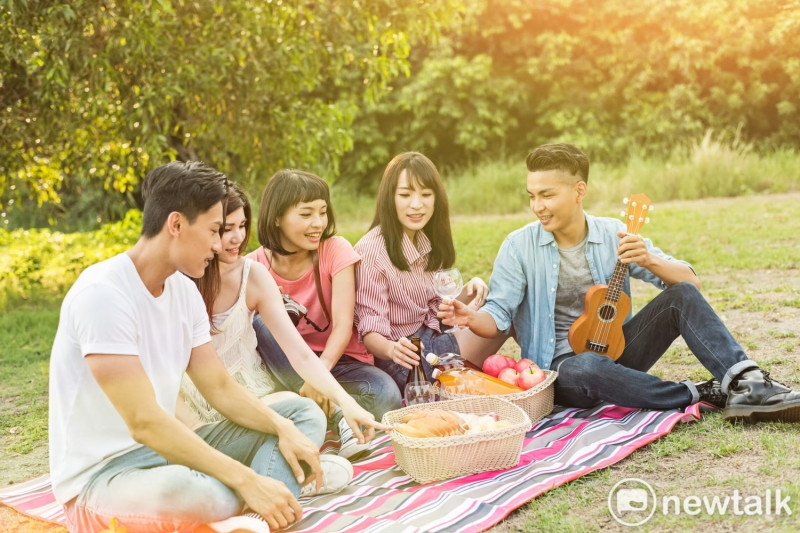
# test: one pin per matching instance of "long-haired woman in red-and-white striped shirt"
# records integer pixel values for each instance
(409, 240)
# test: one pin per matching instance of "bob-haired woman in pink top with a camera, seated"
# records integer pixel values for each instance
(315, 268)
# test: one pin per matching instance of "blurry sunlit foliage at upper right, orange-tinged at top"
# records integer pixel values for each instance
(620, 79)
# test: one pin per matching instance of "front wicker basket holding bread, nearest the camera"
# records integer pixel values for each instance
(438, 458)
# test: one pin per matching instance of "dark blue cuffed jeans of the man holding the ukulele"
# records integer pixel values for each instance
(587, 379)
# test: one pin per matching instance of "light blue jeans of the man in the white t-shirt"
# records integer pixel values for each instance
(147, 494)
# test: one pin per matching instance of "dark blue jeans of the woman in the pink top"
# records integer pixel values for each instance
(370, 386)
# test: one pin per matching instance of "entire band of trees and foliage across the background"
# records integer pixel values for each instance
(94, 94)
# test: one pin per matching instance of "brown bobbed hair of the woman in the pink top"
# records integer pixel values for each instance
(285, 189)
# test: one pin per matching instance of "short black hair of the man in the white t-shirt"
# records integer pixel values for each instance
(189, 187)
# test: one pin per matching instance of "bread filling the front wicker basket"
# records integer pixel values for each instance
(446, 423)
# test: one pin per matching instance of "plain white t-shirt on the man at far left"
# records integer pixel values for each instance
(110, 311)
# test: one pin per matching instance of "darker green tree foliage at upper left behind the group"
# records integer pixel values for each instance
(94, 93)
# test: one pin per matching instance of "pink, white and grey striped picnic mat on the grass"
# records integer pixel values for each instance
(563, 446)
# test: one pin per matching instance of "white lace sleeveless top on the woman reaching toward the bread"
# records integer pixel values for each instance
(236, 345)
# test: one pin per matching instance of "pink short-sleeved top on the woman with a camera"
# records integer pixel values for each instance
(335, 254)
